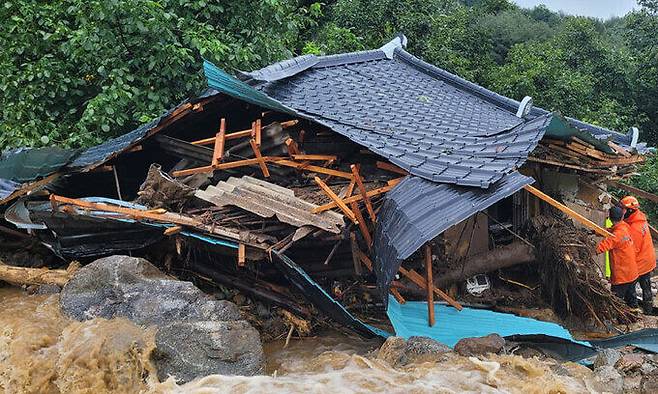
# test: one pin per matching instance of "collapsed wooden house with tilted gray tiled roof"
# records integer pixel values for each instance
(356, 179)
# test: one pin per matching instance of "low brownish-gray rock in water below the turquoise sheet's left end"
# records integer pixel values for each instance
(397, 352)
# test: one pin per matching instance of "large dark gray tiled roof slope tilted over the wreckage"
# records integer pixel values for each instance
(421, 118)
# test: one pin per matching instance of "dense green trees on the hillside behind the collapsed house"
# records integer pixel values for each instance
(76, 72)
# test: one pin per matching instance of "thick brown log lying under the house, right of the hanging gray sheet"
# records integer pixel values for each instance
(504, 256)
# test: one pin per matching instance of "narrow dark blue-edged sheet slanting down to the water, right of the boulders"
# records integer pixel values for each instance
(323, 301)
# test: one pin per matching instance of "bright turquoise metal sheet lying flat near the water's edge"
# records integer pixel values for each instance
(410, 319)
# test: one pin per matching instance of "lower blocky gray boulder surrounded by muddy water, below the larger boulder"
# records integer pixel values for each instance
(190, 350)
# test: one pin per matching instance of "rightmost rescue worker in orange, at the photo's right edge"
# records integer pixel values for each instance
(645, 255)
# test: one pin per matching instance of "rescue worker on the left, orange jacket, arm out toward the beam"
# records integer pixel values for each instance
(622, 258)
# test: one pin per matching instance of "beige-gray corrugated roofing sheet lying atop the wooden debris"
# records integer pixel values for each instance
(267, 200)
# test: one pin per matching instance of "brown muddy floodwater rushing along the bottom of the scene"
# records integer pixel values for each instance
(41, 351)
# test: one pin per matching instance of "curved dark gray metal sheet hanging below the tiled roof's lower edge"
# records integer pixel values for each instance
(416, 211)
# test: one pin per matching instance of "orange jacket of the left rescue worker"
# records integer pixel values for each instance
(622, 254)
